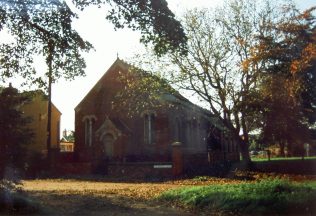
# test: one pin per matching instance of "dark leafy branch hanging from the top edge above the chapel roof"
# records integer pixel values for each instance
(153, 19)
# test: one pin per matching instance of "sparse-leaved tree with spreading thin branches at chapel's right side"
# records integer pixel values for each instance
(219, 41)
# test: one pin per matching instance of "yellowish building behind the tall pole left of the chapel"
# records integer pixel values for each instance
(37, 110)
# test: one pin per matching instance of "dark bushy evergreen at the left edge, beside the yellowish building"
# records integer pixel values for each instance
(14, 133)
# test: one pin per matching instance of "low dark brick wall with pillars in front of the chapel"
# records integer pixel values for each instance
(187, 164)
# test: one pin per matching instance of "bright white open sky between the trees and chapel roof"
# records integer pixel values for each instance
(110, 44)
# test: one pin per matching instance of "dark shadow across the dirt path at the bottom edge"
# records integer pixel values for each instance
(53, 203)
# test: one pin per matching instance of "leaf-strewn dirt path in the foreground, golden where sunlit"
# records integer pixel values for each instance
(73, 197)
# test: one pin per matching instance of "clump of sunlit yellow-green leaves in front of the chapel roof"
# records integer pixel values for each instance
(142, 91)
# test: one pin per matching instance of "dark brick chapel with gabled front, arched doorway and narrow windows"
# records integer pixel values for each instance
(104, 135)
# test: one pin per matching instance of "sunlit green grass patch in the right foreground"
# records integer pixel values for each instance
(272, 196)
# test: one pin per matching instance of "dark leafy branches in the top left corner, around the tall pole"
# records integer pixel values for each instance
(41, 28)
